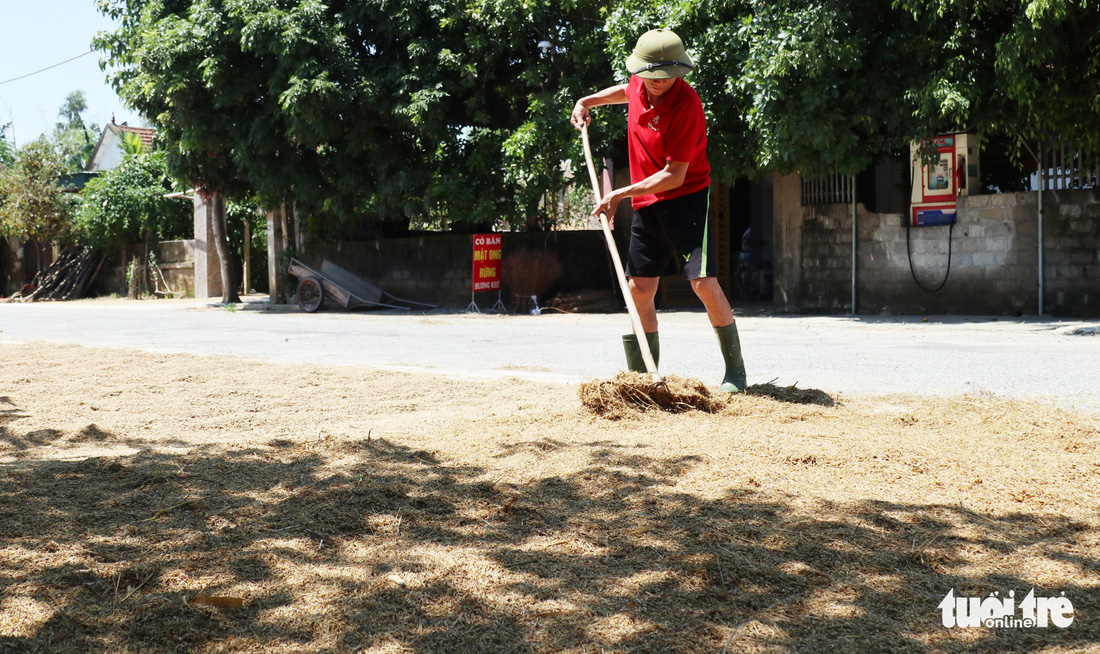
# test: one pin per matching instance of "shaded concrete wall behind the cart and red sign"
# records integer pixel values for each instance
(438, 269)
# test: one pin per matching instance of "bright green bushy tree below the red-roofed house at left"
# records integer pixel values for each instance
(127, 205)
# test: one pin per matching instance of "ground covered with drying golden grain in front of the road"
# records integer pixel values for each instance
(181, 504)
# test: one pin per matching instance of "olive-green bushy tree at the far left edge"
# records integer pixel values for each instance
(32, 205)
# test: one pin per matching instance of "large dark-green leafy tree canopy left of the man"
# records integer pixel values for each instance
(401, 110)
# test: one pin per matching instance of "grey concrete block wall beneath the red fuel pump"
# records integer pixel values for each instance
(993, 253)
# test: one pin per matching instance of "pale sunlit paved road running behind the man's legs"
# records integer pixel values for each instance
(864, 356)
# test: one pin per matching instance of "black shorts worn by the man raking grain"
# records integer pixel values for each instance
(672, 237)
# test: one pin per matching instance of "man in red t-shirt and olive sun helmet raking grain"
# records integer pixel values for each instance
(670, 192)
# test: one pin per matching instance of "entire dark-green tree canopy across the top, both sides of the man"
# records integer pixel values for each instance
(448, 110)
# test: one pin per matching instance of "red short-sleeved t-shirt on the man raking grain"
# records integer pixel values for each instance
(675, 131)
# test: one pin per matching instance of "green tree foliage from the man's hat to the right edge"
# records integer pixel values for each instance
(818, 86)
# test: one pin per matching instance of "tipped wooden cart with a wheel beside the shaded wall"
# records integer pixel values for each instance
(344, 289)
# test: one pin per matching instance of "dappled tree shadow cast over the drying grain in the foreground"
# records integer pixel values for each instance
(344, 547)
